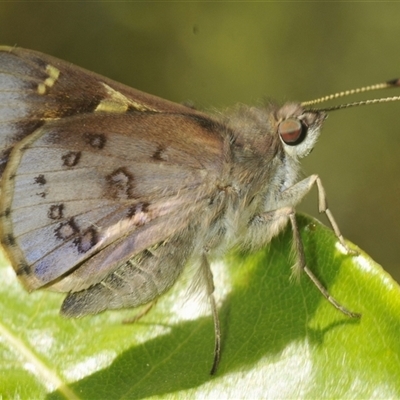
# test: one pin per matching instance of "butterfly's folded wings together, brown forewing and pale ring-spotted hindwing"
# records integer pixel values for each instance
(84, 191)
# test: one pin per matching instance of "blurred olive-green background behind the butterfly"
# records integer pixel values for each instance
(219, 53)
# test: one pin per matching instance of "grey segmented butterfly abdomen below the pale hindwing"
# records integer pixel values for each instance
(136, 282)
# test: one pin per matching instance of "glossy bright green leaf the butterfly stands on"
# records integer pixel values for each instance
(281, 338)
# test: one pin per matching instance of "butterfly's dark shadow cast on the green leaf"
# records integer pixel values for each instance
(261, 316)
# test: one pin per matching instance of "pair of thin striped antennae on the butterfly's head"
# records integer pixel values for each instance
(387, 85)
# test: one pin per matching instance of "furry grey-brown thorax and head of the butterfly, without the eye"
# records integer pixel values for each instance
(263, 168)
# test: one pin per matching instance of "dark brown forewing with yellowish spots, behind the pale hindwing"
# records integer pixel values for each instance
(36, 87)
